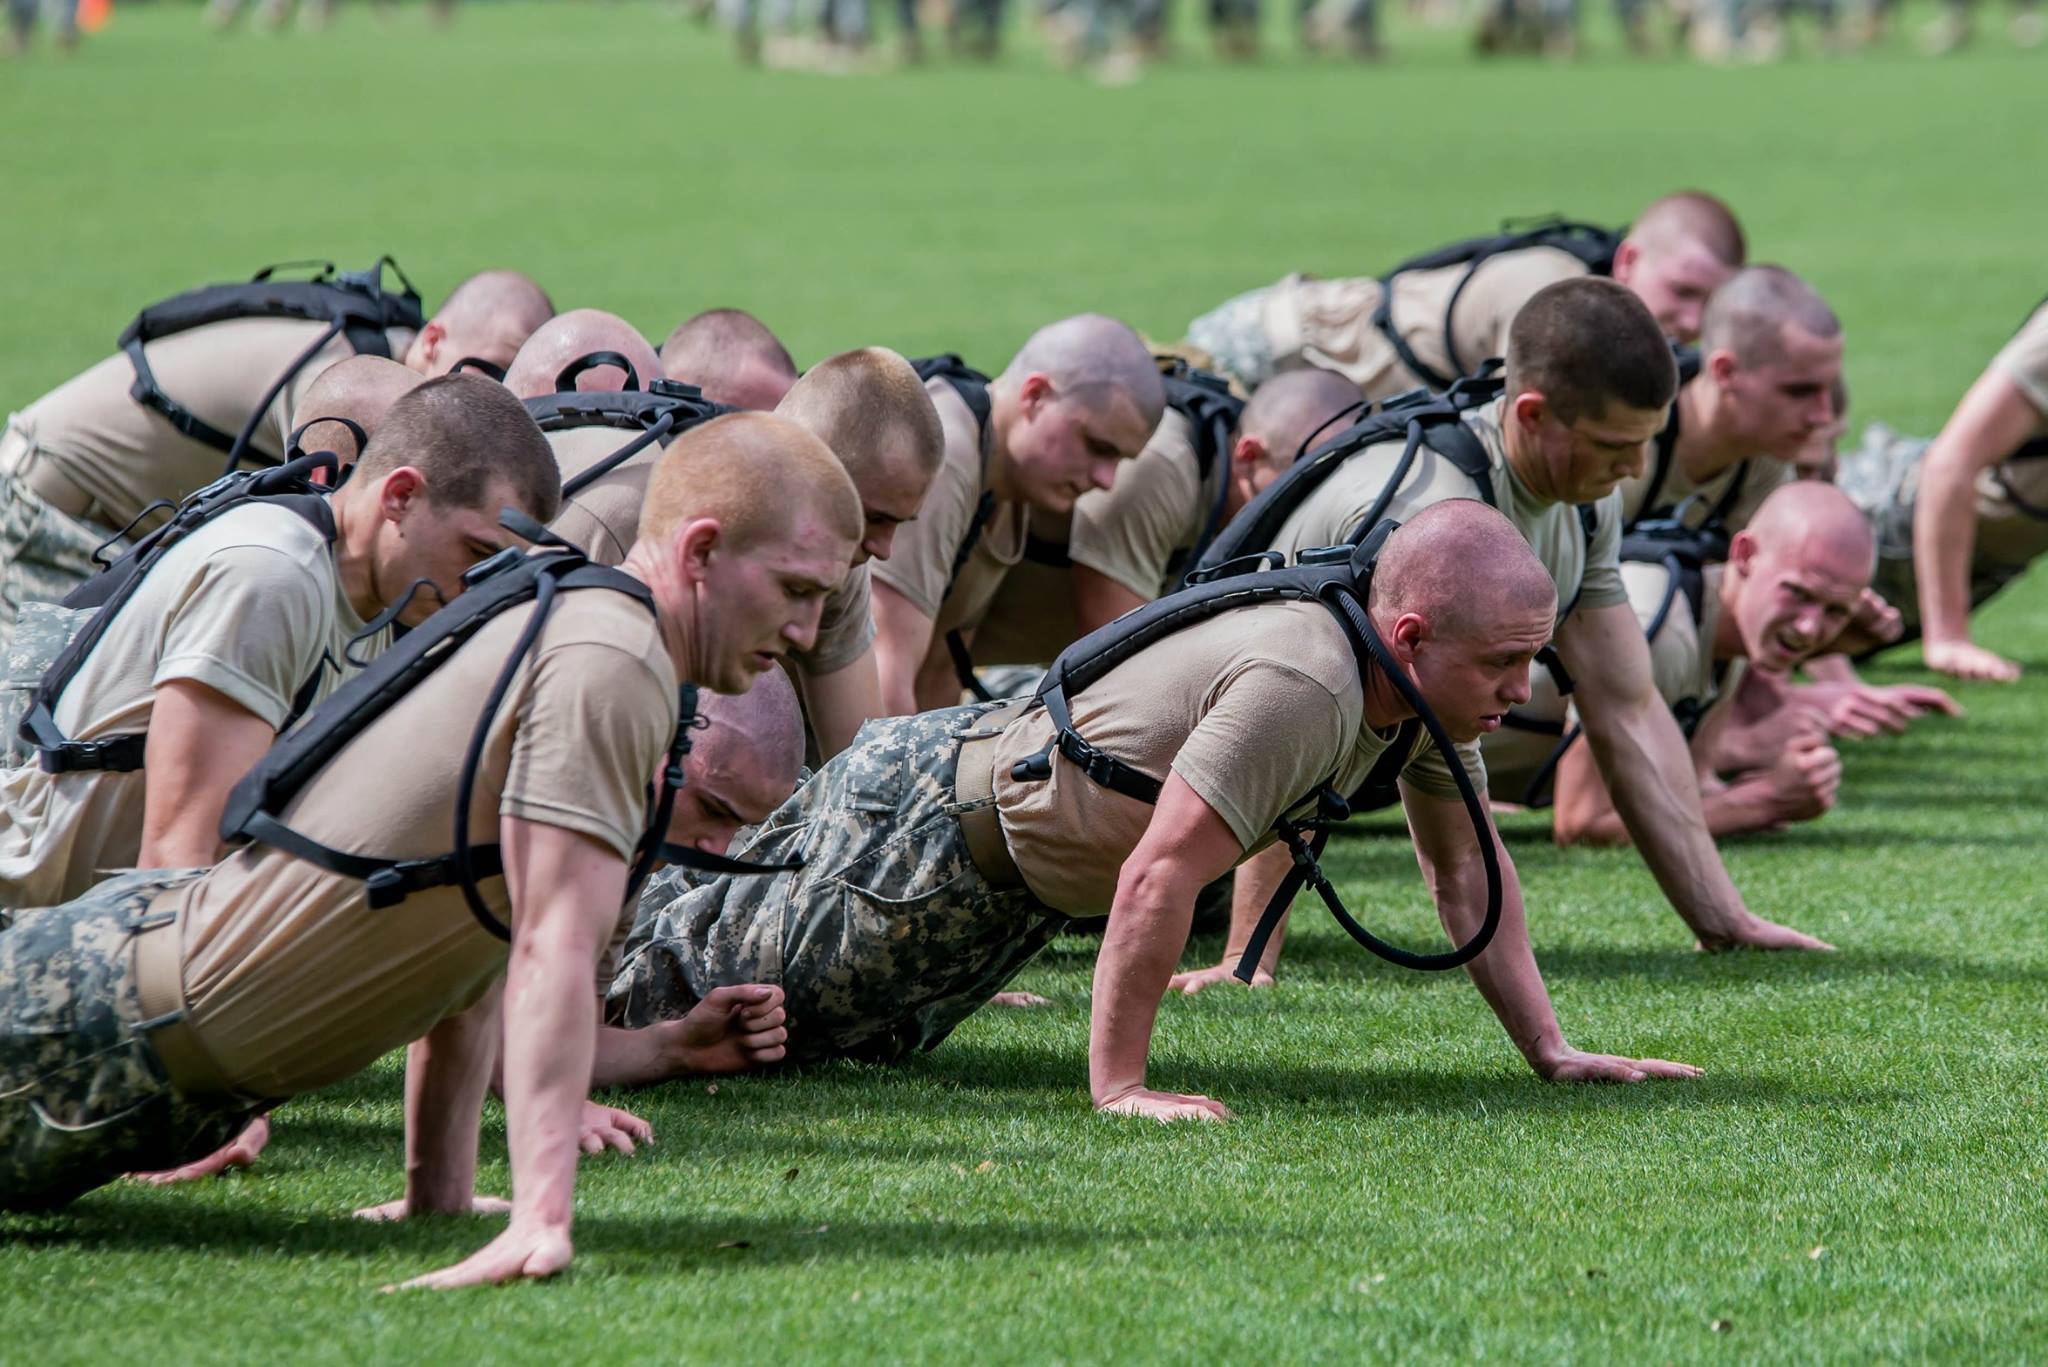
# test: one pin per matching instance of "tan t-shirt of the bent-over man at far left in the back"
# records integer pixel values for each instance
(128, 456)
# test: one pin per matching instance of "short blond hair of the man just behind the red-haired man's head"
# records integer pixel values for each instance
(869, 407)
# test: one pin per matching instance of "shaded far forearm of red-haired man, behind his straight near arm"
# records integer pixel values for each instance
(447, 1075)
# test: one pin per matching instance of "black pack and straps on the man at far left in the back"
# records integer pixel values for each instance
(353, 304)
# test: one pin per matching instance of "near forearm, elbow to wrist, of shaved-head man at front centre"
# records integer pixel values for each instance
(1140, 950)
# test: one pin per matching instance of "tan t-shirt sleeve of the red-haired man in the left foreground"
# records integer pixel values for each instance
(593, 729)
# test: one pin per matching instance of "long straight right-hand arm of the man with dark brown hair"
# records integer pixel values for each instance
(1650, 774)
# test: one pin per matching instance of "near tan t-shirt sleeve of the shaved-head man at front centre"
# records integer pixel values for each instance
(1269, 739)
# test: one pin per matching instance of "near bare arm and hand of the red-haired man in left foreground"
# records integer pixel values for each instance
(566, 890)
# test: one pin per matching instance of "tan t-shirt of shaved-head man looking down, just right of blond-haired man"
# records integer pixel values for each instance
(921, 567)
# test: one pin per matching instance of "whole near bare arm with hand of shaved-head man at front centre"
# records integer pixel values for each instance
(1185, 847)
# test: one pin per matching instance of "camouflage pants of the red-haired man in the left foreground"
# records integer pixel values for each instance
(83, 1097)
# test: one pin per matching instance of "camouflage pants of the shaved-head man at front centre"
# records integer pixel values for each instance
(886, 940)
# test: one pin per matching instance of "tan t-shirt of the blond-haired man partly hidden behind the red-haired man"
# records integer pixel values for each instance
(605, 522)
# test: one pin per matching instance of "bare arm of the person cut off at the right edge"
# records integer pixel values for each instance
(1990, 421)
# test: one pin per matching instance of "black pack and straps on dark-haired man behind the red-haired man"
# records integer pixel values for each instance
(110, 591)
